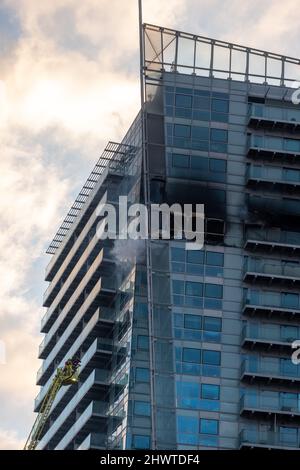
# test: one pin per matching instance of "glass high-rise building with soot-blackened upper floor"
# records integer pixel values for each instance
(185, 349)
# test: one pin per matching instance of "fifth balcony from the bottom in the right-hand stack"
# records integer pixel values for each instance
(271, 304)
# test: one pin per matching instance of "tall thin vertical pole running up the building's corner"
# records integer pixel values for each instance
(146, 185)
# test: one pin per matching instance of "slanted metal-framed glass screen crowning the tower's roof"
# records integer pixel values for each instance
(175, 51)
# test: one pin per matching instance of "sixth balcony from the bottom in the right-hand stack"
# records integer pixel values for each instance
(272, 272)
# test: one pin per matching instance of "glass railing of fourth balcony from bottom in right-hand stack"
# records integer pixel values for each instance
(270, 334)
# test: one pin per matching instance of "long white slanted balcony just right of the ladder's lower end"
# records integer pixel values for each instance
(66, 418)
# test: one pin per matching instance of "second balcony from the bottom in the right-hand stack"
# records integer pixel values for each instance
(266, 404)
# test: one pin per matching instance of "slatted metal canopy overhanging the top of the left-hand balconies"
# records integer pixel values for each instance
(116, 157)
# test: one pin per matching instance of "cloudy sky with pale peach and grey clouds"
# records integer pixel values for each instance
(68, 84)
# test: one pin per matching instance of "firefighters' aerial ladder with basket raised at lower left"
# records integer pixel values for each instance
(67, 375)
